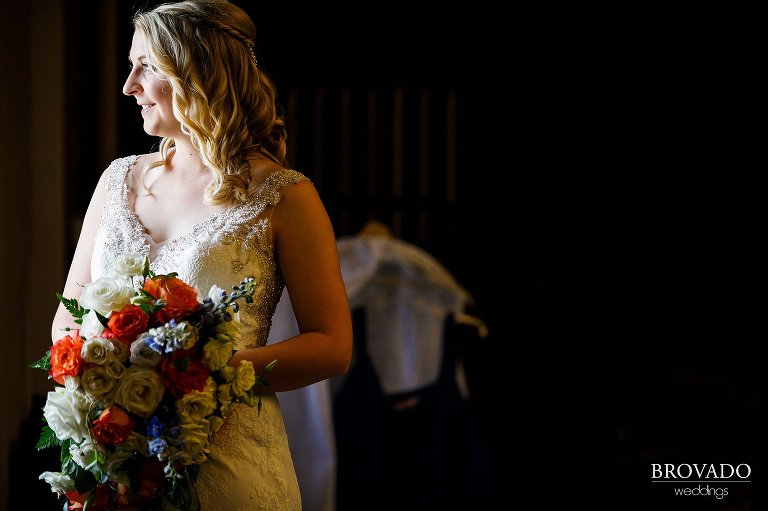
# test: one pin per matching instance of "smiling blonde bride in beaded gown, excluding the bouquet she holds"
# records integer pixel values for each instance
(215, 204)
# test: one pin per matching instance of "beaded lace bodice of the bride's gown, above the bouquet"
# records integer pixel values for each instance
(220, 250)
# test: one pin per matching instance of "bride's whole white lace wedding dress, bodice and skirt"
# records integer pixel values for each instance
(250, 465)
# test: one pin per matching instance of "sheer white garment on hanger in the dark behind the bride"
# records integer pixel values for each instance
(407, 295)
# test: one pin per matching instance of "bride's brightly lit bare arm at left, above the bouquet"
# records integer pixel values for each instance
(80, 268)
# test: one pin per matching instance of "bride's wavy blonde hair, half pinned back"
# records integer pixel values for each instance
(224, 102)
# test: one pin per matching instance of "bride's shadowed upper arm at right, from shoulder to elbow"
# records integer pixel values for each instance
(309, 262)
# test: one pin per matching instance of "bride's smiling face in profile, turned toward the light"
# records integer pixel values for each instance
(152, 92)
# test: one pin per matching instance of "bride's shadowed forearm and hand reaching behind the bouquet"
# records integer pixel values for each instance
(302, 360)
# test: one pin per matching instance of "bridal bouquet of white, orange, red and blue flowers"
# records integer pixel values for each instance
(143, 386)
